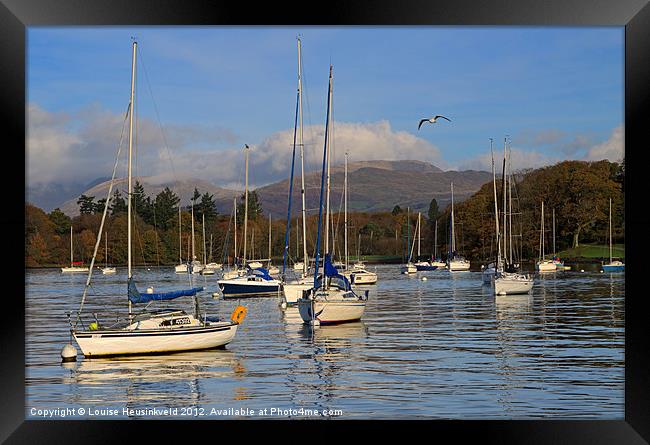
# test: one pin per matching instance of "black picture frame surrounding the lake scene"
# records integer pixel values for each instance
(634, 15)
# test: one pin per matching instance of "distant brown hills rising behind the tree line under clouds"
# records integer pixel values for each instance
(373, 186)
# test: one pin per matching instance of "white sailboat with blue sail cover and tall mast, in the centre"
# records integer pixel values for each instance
(331, 300)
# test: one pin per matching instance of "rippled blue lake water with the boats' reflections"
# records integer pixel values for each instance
(441, 348)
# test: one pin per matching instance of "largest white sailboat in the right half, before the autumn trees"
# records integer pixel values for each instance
(502, 276)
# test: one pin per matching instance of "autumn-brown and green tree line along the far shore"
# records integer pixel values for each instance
(578, 191)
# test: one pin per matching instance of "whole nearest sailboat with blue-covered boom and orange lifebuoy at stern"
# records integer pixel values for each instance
(161, 331)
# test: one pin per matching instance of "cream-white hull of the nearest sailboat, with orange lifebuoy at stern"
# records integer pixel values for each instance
(103, 343)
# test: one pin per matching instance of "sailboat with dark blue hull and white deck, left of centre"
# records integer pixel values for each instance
(256, 282)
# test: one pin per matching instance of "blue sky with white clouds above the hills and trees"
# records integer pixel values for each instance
(204, 92)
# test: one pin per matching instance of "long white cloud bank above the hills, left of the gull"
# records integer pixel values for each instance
(58, 151)
